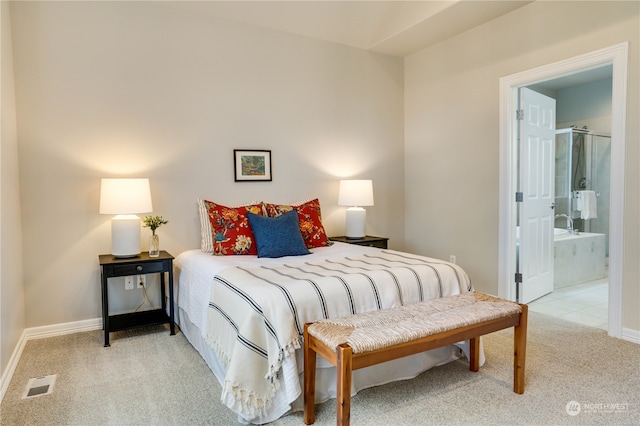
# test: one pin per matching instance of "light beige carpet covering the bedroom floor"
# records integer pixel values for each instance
(575, 375)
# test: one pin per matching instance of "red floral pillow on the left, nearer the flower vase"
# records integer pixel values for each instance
(230, 229)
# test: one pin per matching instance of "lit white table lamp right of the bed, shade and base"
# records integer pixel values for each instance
(355, 194)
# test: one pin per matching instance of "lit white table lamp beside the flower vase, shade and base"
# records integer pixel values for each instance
(125, 198)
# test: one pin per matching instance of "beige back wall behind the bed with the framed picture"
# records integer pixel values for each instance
(138, 89)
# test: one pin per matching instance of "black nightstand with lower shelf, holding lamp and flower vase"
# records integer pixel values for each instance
(111, 267)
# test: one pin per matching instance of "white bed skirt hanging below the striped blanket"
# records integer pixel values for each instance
(289, 397)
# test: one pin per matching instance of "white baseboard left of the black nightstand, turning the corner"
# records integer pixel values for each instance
(40, 333)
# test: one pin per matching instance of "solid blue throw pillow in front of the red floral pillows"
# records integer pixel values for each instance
(278, 236)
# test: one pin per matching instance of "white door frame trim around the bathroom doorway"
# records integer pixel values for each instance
(616, 57)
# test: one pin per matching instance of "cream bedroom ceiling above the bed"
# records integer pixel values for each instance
(397, 28)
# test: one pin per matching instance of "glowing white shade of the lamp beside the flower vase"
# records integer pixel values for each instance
(125, 196)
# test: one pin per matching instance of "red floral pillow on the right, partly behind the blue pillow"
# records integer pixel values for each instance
(309, 218)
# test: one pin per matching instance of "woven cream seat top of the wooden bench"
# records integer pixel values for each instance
(380, 329)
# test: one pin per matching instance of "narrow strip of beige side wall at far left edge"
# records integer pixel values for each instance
(12, 308)
